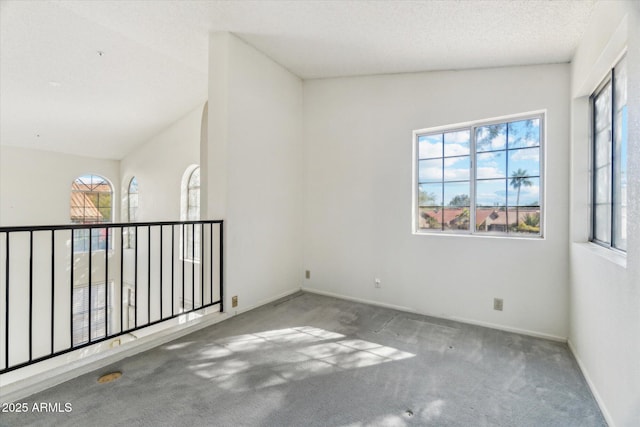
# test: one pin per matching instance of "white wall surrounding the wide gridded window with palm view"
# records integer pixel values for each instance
(358, 187)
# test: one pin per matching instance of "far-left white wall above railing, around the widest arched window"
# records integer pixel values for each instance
(35, 185)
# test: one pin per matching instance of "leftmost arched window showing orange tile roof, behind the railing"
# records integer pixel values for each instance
(91, 202)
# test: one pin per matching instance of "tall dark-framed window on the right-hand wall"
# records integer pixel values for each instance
(609, 196)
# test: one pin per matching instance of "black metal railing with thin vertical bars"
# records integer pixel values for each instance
(67, 287)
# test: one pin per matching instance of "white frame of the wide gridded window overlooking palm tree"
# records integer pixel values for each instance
(472, 126)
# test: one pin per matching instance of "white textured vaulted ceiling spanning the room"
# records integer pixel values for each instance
(154, 67)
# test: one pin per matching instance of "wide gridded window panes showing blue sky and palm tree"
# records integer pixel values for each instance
(481, 178)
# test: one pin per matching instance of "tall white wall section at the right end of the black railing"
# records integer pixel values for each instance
(254, 170)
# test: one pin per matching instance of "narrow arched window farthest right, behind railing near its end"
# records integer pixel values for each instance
(190, 211)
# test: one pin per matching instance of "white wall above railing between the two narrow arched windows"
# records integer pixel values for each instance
(159, 164)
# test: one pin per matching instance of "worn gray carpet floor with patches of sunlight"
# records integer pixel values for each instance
(309, 360)
